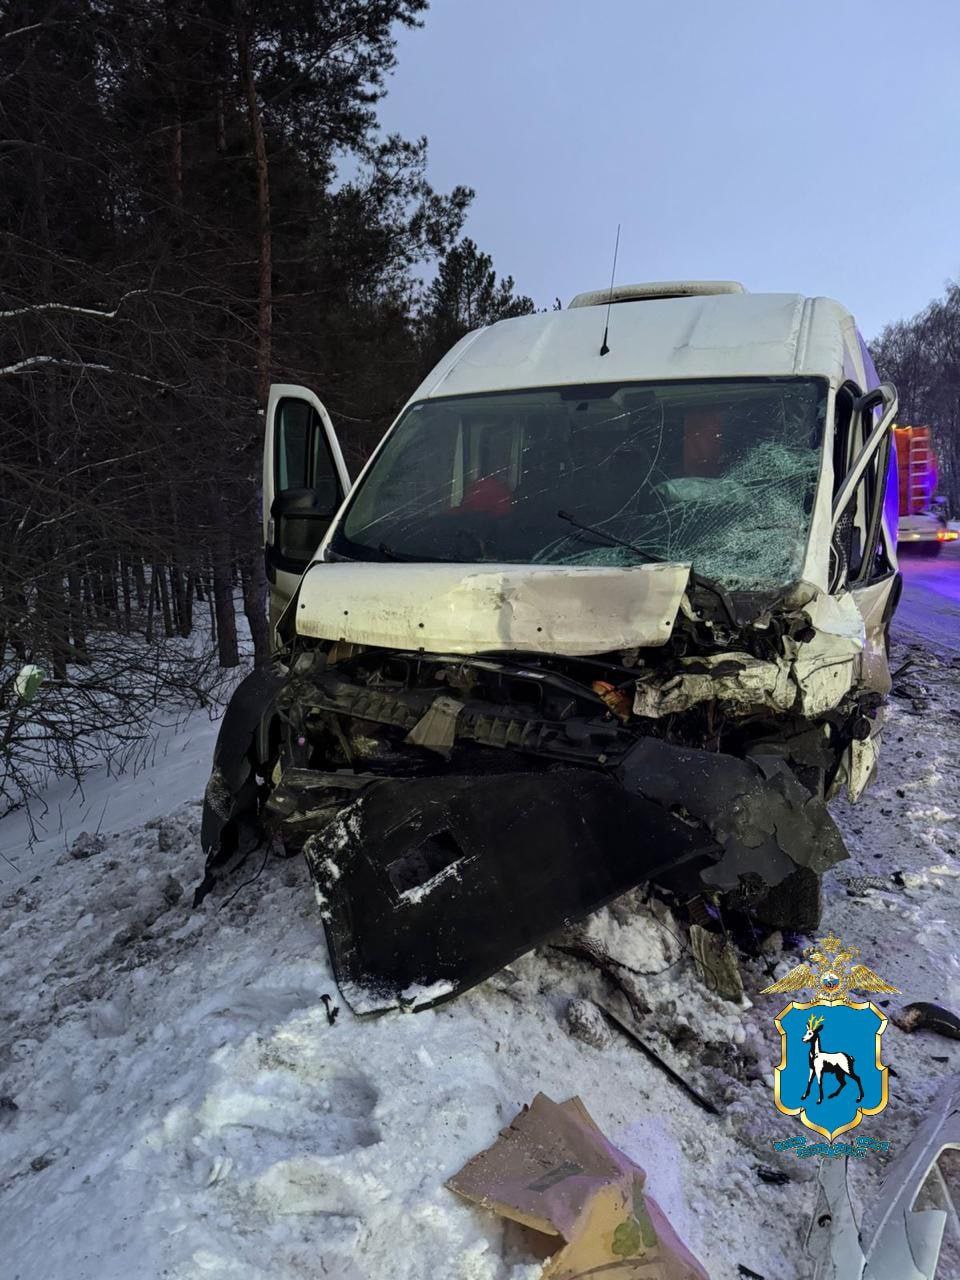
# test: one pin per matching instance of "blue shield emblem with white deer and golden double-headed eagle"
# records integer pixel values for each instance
(830, 1072)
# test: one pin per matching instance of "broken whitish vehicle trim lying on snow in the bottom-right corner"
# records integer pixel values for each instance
(895, 1241)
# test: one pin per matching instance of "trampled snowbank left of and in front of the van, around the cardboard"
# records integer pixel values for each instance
(185, 1109)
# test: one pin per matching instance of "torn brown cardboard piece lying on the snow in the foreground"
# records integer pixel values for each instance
(554, 1172)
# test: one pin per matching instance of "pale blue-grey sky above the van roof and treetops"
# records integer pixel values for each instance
(808, 147)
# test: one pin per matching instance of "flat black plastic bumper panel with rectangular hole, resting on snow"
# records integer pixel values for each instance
(428, 886)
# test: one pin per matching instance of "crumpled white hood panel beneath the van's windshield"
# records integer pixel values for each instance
(490, 609)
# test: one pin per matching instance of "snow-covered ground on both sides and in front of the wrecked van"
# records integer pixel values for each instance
(175, 1101)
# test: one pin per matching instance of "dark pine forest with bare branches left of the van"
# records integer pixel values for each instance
(196, 200)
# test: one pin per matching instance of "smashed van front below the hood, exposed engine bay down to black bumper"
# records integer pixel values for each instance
(456, 810)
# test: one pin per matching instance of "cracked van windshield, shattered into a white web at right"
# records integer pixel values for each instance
(721, 474)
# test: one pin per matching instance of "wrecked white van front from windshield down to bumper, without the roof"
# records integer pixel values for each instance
(563, 641)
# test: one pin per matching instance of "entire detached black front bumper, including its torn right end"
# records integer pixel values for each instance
(429, 885)
